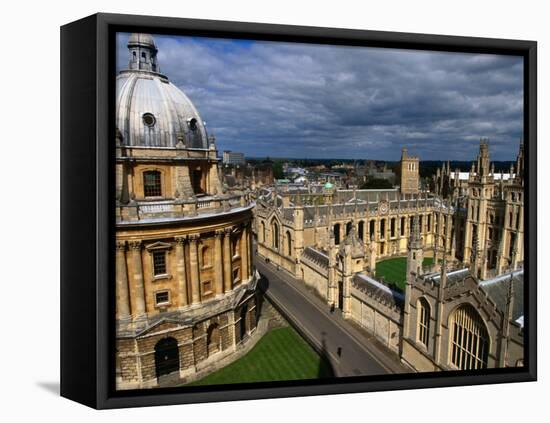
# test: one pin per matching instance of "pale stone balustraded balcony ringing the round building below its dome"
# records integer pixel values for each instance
(151, 211)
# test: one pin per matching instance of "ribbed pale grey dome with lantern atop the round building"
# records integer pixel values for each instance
(150, 110)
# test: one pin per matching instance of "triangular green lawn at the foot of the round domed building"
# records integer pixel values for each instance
(280, 355)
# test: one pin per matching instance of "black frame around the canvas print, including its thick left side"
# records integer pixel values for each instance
(87, 222)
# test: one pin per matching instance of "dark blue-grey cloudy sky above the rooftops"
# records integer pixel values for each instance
(305, 100)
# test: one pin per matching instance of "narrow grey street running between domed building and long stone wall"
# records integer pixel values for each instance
(350, 350)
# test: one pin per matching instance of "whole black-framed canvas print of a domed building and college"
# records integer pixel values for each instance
(259, 211)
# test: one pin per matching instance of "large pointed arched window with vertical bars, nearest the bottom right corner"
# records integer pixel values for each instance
(469, 341)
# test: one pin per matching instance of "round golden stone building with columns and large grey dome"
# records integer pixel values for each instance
(185, 286)
